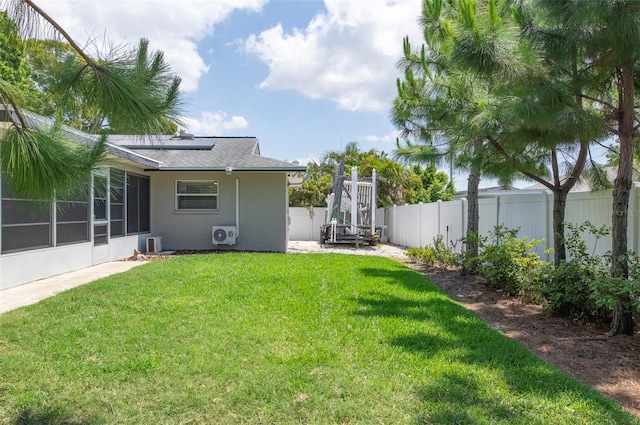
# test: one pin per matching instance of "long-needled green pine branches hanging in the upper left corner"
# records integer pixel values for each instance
(124, 87)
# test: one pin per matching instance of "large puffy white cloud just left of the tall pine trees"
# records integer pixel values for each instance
(346, 55)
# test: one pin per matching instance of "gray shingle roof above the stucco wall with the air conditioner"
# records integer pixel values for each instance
(192, 153)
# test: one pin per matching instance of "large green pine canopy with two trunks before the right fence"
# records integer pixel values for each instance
(491, 92)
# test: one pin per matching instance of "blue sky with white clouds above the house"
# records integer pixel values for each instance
(304, 76)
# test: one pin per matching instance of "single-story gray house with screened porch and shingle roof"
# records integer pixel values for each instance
(174, 193)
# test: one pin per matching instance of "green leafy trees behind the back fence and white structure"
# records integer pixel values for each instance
(397, 184)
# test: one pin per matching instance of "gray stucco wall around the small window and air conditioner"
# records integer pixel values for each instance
(263, 211)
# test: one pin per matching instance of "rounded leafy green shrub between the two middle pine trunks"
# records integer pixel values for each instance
(509, 263)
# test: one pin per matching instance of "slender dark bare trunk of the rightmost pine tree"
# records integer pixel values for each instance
(622, 322)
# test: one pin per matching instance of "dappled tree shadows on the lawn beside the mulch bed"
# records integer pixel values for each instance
(477, 359)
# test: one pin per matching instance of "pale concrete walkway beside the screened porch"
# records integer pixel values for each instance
(31, 293)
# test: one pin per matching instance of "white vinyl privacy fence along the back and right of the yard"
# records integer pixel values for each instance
(418, 225)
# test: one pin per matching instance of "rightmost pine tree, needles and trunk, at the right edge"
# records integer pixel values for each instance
(605, 36)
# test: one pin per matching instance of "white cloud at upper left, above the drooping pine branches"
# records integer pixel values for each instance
(173, 26)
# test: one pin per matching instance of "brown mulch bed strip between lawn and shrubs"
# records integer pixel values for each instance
(610, 365)
